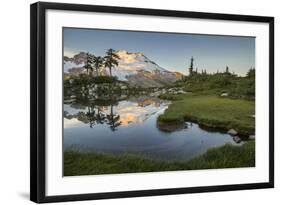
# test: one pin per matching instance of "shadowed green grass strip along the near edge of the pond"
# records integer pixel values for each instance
(227, 156)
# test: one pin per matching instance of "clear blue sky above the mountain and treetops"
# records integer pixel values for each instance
(171, 51)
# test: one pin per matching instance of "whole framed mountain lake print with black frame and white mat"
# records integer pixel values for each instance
(129, 102)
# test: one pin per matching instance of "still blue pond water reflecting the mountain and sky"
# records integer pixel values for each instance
(129, 126)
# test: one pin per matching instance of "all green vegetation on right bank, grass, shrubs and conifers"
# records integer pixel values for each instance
(220, 100)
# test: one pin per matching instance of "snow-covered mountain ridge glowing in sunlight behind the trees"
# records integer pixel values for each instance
(133, 67)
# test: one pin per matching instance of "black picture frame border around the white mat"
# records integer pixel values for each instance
(38, 101)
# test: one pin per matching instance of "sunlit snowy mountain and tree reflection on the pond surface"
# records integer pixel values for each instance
(117, 114)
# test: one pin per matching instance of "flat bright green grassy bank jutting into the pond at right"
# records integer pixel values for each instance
(212, 111)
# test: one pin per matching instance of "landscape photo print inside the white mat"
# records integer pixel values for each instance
(153, 101)
